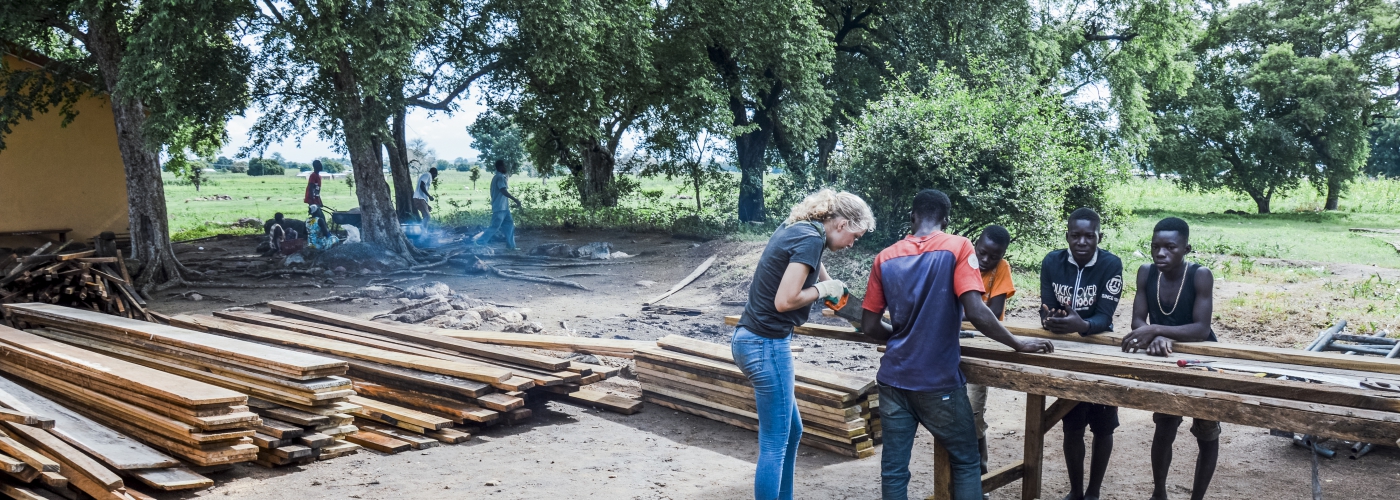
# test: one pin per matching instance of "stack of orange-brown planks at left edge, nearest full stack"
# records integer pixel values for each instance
(202, 424)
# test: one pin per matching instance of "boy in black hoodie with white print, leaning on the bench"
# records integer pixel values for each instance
(1080, 289)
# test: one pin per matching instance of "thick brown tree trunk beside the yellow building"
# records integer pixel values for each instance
(145, 190)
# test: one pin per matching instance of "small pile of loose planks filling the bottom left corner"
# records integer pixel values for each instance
(78, 436)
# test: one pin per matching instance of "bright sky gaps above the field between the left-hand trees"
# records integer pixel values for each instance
(446, 135)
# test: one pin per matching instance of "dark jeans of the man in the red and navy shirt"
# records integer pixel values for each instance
(948, 417)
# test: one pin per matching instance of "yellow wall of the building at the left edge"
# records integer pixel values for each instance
(55, 177)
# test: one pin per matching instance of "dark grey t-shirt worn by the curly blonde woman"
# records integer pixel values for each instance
(801, 243)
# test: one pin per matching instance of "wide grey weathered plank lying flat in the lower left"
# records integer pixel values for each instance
(114, 450)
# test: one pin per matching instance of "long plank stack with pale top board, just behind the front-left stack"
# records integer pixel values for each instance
(278, 379)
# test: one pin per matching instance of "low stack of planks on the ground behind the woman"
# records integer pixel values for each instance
(701, 379)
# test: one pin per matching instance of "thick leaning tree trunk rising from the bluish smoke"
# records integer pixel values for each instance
(379, 222)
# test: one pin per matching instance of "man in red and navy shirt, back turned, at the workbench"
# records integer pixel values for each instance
(929, 282)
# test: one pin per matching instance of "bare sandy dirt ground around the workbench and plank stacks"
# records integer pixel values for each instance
(568, 452)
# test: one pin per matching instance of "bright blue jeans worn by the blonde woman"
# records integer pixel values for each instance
(769, 366)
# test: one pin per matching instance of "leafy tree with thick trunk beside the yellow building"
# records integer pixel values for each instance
(174, 75)
